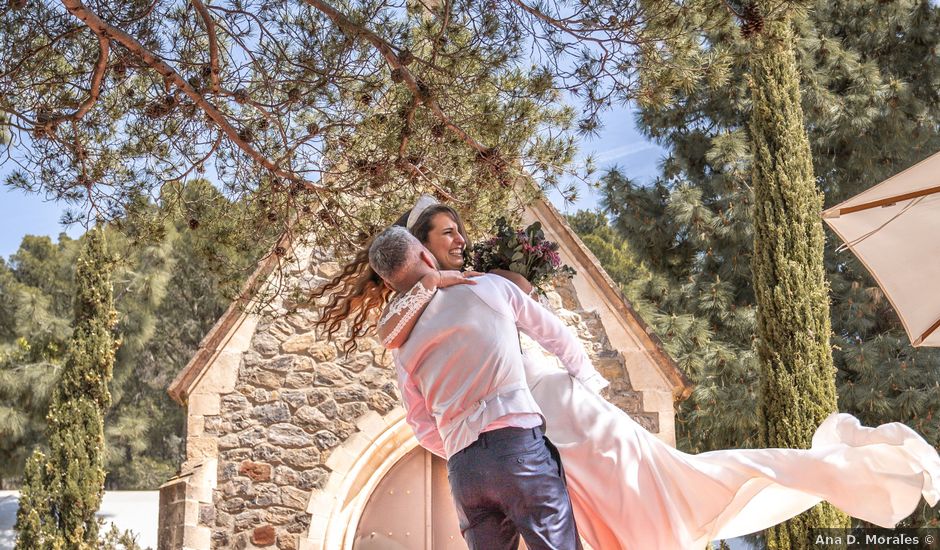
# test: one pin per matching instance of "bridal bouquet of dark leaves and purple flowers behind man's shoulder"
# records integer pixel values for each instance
(523, 251)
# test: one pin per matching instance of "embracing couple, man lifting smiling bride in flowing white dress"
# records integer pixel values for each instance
(504, 417)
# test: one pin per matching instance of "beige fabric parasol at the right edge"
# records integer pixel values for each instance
(894, 229)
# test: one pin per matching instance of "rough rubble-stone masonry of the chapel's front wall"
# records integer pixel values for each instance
(296, 400)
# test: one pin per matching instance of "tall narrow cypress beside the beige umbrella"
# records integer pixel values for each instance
(797, 374)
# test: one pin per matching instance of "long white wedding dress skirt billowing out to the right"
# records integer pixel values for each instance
(632, 491)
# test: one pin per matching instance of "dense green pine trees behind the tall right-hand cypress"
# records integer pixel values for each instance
(870, 111)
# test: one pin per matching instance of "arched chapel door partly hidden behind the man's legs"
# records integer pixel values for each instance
(411, 508)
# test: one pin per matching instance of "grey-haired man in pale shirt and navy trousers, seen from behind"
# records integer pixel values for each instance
(463, 383)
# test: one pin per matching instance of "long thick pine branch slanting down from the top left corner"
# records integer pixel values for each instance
(99, 26)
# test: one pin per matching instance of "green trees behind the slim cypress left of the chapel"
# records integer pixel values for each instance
(168, 293)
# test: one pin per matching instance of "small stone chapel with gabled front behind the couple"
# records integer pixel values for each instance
(292, 446)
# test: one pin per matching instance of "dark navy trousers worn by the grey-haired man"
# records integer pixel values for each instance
(510, 482)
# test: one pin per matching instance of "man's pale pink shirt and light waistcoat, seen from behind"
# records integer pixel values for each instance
(460, 372)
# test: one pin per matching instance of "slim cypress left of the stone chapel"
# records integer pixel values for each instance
(62, 490)
